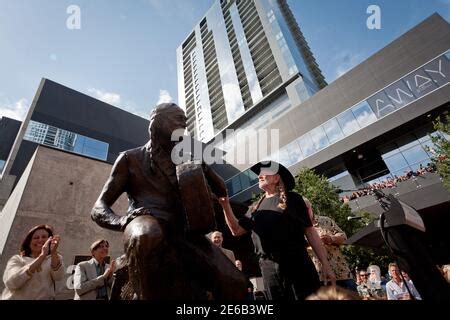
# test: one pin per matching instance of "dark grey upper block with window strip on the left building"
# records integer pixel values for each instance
(65, 119)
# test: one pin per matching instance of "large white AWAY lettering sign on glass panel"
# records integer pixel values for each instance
(411, 87)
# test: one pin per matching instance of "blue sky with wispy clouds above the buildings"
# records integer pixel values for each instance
(124, 52)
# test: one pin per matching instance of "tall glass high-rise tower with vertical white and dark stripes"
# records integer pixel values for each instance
(243, 56)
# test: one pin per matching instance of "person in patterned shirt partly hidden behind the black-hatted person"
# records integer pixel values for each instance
(332, 237)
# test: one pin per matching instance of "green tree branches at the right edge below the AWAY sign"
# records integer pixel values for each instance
(441, 149)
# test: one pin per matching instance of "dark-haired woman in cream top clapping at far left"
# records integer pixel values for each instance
(31, 274)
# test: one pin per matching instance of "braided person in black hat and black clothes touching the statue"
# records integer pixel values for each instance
(279, 222)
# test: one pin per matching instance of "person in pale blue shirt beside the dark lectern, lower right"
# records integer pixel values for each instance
(396, 288)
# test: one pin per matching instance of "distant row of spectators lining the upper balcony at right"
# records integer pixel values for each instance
(389, 183)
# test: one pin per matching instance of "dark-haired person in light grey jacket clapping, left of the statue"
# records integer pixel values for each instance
(93, 278)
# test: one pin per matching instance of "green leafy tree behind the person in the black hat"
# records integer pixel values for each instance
(325, 201)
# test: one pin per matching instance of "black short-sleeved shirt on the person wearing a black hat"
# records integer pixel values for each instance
(276, 231)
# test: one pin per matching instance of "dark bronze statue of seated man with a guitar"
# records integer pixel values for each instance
(165, 259)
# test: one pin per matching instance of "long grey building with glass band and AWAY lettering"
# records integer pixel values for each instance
(375, 113)
